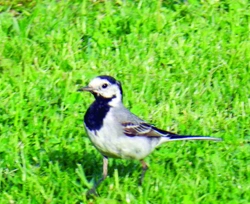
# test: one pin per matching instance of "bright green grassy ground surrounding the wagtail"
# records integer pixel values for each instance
(184, 67)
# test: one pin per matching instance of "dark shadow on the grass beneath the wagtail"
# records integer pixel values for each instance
(91, 162)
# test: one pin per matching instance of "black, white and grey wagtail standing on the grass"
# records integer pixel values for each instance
(116, 132)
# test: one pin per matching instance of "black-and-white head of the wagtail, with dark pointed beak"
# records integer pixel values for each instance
(105, 88)
